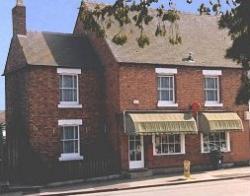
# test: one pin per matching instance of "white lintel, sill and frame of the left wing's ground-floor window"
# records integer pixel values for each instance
(71, 123)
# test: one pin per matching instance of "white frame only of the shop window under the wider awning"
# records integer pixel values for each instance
(182, 143)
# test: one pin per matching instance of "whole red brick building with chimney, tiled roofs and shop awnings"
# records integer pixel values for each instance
(72, 97)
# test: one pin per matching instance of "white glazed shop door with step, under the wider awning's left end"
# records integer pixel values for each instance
(136, 152)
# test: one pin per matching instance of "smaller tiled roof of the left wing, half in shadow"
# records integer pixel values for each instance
(57, 49)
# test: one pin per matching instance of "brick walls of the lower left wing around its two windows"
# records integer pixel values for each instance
(32, 97)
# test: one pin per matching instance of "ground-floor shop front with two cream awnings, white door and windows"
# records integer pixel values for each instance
(166, 139)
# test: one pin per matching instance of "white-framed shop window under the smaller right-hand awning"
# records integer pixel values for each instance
(214, 141)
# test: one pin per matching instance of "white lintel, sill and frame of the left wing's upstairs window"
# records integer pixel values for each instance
(70, 72)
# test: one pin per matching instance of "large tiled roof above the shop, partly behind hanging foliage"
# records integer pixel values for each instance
(200, 35)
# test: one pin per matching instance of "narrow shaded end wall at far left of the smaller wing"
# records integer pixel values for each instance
(16, 117)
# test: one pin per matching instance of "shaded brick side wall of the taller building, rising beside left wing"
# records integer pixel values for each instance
(111, 86)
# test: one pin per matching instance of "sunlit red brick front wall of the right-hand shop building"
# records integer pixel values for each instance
(139, 82)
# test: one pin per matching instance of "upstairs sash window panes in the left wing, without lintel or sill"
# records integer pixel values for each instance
(68, 88)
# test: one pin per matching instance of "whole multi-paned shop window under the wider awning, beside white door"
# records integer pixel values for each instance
(168, 144)
